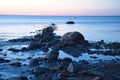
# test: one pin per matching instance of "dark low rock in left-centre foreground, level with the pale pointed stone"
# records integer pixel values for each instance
(39, 71)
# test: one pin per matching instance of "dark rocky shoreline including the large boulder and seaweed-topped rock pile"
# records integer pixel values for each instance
(51, 67)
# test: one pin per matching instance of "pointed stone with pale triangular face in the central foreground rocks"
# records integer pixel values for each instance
(73, 67)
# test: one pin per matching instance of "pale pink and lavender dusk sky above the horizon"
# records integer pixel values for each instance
(60, 7)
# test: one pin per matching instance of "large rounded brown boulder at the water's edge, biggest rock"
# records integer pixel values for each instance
(73, 38)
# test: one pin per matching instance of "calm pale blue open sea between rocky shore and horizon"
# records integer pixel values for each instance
(94, 28)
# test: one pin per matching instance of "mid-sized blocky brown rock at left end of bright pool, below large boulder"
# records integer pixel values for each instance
(52, 55)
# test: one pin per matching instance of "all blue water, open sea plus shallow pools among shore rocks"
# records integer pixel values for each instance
(93, 28)
